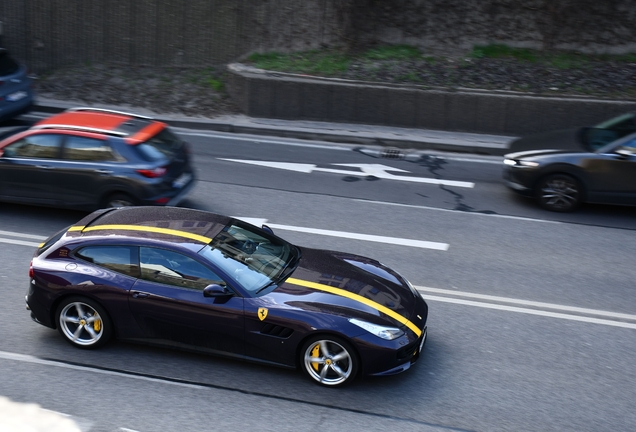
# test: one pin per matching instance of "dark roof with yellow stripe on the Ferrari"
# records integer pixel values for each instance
(169, 224)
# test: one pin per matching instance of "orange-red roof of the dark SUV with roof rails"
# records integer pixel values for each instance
(133, 127)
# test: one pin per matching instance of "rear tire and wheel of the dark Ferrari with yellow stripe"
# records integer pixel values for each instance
(83, 323)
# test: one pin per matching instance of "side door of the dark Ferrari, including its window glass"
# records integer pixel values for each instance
(168, 303)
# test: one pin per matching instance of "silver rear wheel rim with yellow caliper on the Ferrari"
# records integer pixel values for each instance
(81, 324)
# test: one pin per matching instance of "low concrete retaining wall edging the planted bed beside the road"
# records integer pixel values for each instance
(284, 96)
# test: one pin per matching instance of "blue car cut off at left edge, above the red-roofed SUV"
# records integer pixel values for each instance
(16, 94)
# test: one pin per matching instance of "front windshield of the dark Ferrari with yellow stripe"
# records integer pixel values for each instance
(254, 259)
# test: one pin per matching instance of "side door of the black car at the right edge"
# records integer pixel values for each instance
(612, 176)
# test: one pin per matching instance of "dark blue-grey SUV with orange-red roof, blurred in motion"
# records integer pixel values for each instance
(87, 158)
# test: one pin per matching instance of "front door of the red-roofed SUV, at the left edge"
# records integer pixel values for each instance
(26, 166)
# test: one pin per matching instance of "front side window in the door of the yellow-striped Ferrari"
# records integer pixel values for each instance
(172, 268)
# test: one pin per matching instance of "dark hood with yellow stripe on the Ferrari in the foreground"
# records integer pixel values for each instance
(347, 285)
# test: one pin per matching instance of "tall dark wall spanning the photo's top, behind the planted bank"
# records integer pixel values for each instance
(51, 33)
